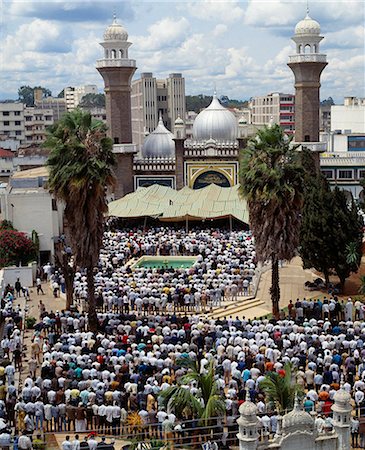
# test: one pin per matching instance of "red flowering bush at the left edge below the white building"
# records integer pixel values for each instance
(16, 248)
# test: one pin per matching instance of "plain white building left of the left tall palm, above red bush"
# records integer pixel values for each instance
(28, 204)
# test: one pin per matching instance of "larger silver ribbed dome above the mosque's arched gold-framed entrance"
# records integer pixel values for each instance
(215, 122)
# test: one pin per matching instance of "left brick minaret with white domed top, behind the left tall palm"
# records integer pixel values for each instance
(117, 71)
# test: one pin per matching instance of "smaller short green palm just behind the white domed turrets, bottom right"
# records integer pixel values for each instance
(280, 390)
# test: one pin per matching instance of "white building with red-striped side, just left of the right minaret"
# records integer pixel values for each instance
(276, 107)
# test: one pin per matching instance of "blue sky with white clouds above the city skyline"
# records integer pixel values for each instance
(239, 47)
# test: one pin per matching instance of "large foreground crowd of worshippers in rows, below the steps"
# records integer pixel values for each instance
(93, 382)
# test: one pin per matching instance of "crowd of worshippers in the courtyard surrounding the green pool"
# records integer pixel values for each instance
(224, 269)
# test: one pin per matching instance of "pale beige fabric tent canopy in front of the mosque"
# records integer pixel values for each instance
(211, 202)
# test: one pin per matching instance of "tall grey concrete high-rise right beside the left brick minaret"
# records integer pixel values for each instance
(152, 98)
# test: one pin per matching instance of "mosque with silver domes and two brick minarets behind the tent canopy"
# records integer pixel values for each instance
(212, 155)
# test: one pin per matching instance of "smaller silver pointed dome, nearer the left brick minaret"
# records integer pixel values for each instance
(159, 143)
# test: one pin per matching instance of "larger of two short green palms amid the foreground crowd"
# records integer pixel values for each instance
(205, 406)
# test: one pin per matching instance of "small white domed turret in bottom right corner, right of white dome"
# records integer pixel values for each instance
(342, 417)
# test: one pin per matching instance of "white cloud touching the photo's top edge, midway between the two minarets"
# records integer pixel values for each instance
(227, 11)
